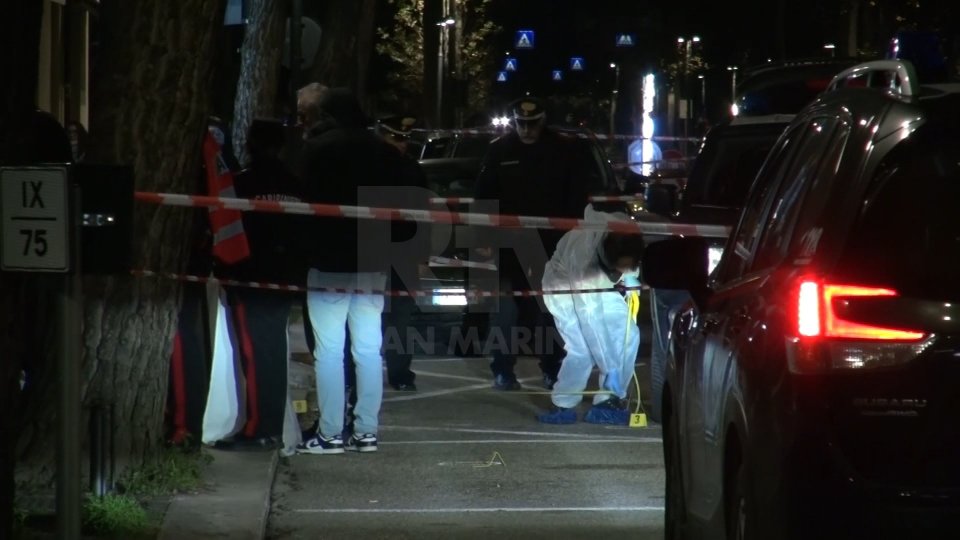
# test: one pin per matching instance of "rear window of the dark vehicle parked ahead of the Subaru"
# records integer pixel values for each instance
(728, 164)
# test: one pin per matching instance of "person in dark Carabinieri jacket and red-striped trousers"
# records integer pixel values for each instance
(261, 316)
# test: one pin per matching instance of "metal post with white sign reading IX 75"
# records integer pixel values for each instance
(39, 214)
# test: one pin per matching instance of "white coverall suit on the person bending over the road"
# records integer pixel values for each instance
(595, 327)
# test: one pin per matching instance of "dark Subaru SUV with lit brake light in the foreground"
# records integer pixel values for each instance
(812, 384)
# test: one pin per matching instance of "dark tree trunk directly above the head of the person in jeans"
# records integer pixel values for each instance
(346, 46)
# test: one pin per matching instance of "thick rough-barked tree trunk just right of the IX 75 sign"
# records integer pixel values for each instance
(149, 105)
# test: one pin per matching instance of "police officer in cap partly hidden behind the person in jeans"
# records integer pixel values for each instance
(398, 314)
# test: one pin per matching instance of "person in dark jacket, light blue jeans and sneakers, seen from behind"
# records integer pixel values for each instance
(344, 163)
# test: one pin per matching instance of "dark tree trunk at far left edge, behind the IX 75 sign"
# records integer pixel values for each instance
(19, 61)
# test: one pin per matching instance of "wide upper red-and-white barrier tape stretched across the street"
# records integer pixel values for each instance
(432, 216)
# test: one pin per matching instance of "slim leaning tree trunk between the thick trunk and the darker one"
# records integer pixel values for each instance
(259, 70)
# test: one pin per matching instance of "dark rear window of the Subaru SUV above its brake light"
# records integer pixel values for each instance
(908, 235)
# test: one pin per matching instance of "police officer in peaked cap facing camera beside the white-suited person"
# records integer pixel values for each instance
(532, 171)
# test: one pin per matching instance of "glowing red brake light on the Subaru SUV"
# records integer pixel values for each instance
(817, 317)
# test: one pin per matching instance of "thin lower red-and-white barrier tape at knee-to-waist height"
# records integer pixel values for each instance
(187, 278)
